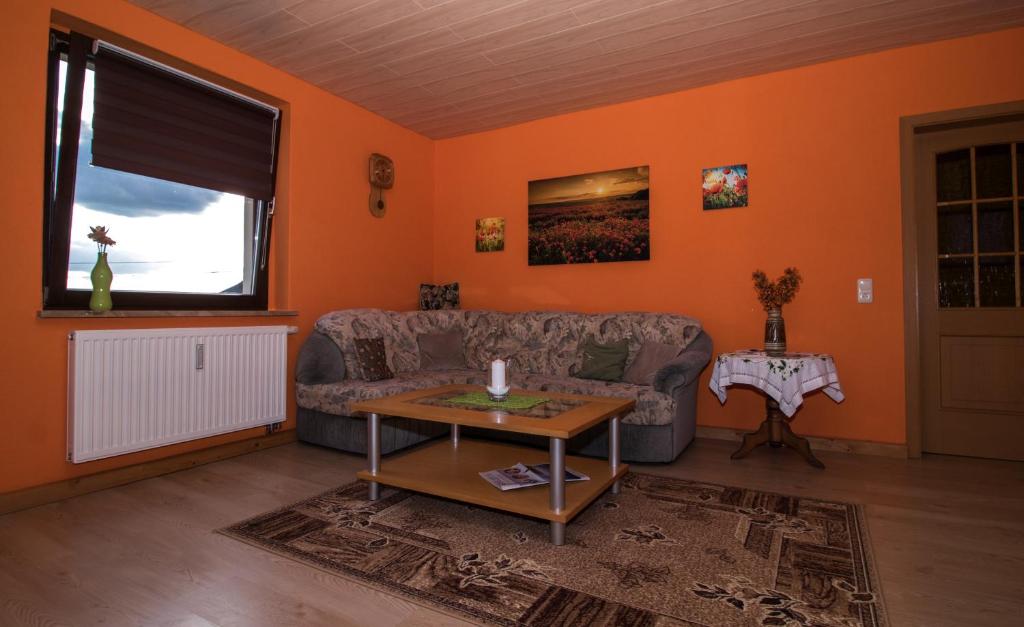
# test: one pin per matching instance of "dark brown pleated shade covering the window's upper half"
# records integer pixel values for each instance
(152, 122)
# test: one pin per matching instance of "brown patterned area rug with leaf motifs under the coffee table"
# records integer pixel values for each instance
(665, 552)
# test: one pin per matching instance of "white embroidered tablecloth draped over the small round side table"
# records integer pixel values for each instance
(785, 379)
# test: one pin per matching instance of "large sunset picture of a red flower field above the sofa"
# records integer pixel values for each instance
(590, 219)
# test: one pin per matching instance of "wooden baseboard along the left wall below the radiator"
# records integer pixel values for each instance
(66, 489)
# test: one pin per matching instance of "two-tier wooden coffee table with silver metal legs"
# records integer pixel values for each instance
(451, 469)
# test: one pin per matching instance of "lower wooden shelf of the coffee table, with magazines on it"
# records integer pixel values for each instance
(453, 472)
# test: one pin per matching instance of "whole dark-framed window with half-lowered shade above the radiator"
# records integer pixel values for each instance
(181, 173)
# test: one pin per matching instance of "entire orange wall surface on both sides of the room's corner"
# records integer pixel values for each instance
(822, 144)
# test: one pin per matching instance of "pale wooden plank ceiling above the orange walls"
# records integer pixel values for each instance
(446, 68)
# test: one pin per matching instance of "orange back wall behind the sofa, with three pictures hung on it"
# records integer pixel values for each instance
(823, 145)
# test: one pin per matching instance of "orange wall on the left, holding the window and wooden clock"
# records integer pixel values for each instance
(329, 252)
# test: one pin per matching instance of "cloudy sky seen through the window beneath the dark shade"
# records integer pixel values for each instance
(170, 237)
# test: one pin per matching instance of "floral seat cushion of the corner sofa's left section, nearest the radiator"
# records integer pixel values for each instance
(335, 398)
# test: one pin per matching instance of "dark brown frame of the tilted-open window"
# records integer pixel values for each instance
(58, 214)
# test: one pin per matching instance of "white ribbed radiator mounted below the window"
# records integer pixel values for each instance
(136, 390)
